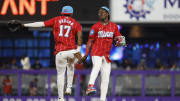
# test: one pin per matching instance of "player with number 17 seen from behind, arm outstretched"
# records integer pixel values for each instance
(64, 30)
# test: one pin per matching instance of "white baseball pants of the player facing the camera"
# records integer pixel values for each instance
(100, 64)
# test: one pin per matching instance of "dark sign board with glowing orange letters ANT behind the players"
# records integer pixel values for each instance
(40, 10)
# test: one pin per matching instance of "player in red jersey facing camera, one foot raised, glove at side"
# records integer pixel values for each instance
(101, 36)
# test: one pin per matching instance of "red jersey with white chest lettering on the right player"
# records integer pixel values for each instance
(103, 36)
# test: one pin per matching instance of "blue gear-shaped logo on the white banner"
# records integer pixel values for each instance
(139, 8)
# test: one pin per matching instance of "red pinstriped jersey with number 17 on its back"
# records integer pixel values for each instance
(64, 30)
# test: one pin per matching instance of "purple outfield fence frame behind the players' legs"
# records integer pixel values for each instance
(78, 96)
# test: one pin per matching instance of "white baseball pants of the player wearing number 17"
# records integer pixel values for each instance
(63, 61)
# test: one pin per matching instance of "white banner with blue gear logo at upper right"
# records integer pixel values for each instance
(148, 11)
